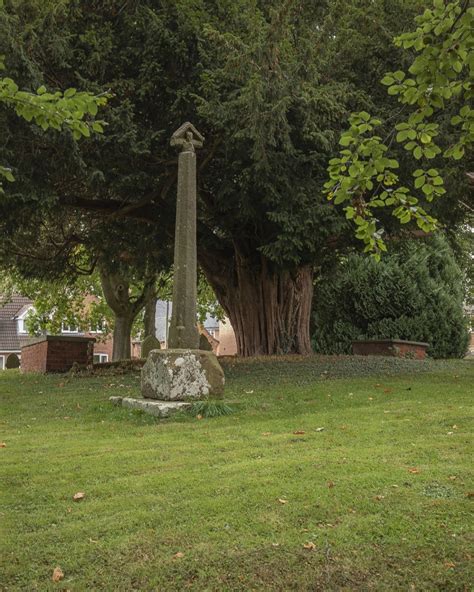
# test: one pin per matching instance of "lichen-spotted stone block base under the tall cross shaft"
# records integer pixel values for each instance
(182, 374)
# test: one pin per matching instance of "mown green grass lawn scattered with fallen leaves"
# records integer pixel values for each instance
(381, 497)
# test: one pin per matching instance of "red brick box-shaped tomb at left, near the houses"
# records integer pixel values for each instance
(56, 353)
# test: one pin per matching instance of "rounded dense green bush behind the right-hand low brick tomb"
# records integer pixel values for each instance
(416, 293)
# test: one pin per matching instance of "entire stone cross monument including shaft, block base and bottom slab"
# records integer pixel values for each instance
(172, 378)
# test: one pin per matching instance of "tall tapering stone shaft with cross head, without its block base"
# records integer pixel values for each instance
(183, 331)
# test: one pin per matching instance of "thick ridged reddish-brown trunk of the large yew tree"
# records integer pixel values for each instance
(269, 309)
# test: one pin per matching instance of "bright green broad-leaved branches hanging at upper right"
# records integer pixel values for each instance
(439, 83)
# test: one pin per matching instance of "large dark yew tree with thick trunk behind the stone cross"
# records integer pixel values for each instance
(269, 83)
